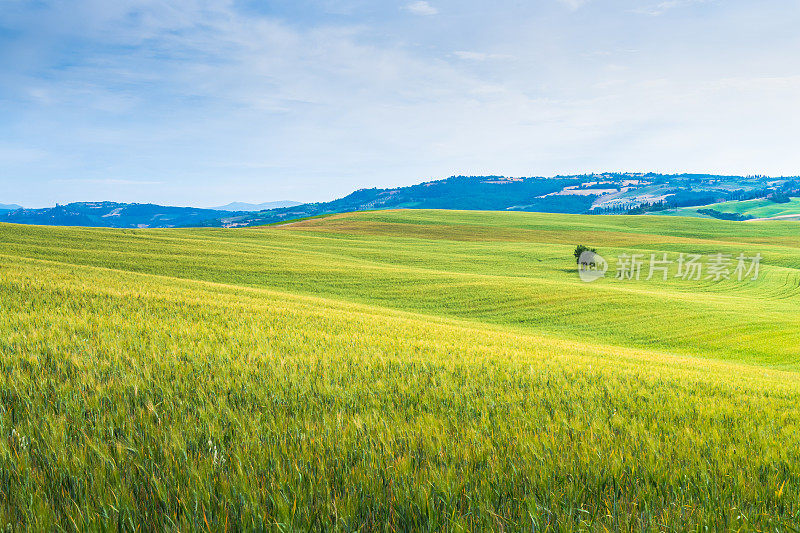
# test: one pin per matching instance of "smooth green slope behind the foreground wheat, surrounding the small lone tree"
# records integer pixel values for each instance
(505, 269)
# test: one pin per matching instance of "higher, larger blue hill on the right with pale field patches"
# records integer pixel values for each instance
(610, 192)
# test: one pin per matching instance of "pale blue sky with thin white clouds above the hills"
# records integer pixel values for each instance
(205, 102)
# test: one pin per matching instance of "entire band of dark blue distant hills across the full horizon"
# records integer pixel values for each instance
(614, 192)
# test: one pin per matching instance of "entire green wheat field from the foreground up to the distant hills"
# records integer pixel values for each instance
(397, 371)
